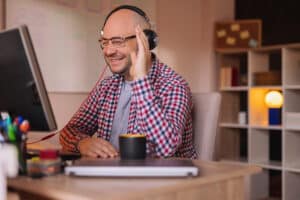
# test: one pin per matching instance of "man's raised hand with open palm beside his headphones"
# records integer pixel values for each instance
(141, 60)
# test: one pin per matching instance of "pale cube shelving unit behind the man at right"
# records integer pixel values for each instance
(275, 148)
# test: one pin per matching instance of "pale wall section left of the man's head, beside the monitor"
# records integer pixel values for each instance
(65, 35)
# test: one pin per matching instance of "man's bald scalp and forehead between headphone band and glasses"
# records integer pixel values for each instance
(124, 21)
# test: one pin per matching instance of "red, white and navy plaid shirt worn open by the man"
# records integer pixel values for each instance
(160, 107)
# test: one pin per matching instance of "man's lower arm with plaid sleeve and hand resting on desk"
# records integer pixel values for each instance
(76, 135)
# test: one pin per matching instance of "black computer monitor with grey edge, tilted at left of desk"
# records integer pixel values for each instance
(22, 89)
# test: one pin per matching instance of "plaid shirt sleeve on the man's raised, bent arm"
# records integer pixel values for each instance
(163, 117)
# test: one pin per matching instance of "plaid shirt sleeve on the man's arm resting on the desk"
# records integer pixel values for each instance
(83, 124)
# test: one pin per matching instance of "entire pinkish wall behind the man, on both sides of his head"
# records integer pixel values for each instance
(185, 29)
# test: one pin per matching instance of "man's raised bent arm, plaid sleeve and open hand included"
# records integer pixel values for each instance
(164, 121)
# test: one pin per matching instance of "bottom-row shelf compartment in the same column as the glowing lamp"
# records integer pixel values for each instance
(266, 185)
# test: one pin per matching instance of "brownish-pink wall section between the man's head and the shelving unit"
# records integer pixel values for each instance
(186, 38)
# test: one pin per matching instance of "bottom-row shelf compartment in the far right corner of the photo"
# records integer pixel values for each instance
(291, 184)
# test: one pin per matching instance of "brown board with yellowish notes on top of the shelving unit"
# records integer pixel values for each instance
(238, 34)
